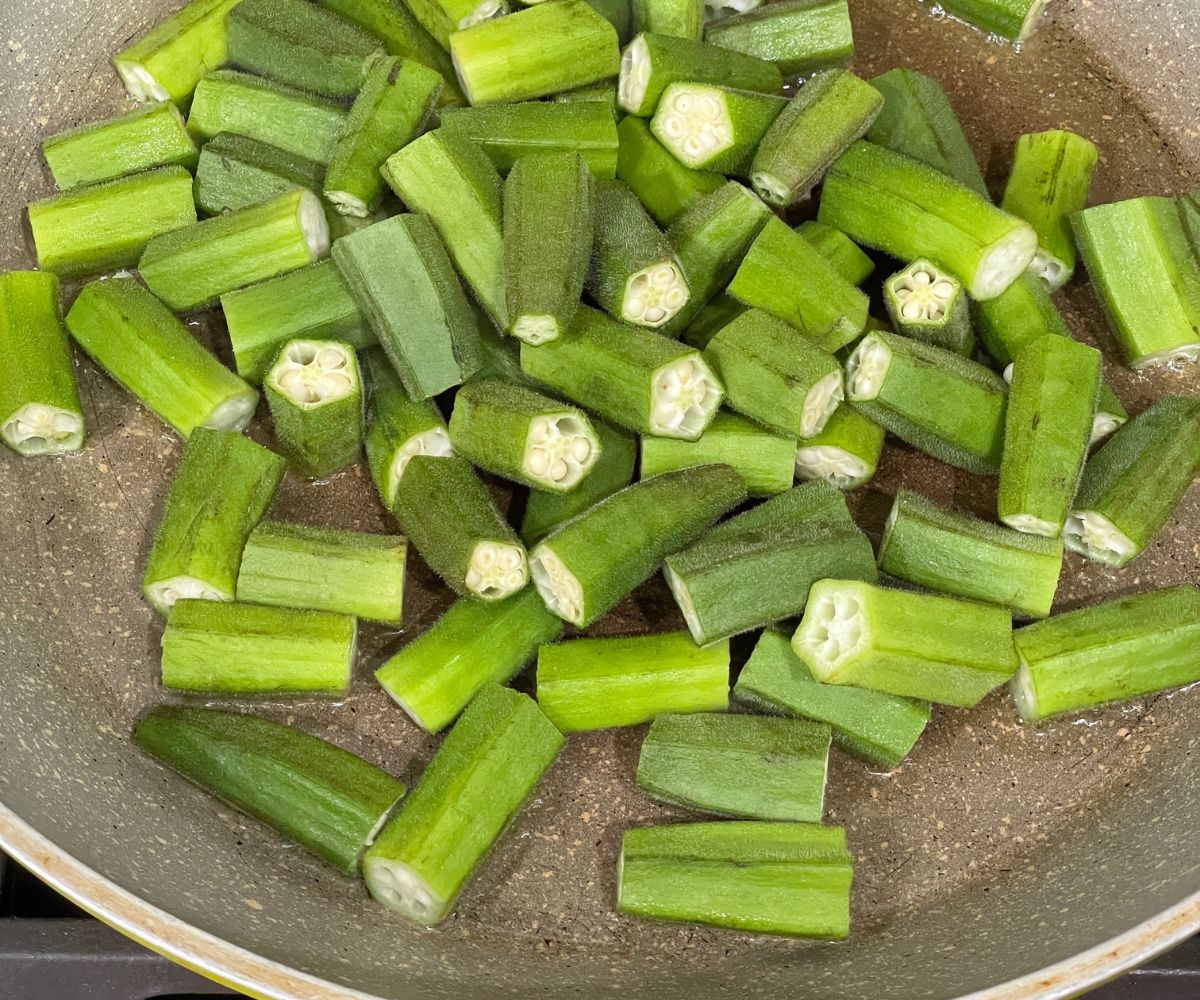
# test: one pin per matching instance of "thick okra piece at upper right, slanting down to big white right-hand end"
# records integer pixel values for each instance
(895, 203)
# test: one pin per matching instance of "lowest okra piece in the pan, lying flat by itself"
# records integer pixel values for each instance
(769, 878)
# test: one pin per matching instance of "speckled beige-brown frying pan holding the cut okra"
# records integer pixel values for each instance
(1001, 861)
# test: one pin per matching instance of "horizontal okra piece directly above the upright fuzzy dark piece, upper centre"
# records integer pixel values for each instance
(509, 133)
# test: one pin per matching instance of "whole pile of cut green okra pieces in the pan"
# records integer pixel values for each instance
(599, 252)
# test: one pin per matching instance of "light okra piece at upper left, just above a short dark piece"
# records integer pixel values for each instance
(299, 123)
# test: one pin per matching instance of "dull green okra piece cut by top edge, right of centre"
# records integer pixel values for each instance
(800, 37)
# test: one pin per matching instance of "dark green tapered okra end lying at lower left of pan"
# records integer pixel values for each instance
(325, 799)
